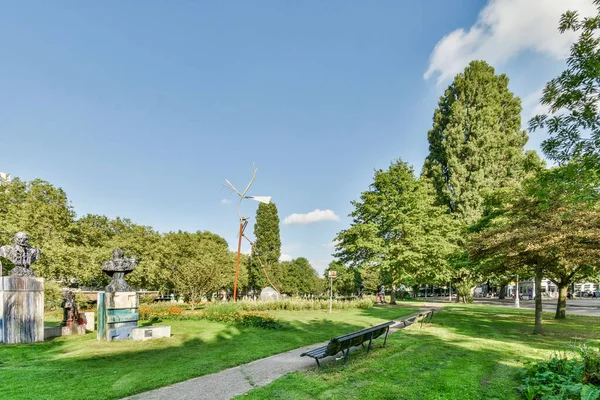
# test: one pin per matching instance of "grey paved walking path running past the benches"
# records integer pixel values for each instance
(241, 379)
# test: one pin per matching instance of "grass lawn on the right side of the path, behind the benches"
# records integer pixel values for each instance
(468, 352)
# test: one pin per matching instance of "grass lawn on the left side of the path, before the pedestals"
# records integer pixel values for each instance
(80, 367)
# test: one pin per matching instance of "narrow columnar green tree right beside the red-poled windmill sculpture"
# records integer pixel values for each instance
(267, 247)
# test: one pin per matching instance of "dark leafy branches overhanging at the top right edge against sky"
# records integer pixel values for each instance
(572, 98)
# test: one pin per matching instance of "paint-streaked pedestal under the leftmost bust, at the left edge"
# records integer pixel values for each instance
(21, 309)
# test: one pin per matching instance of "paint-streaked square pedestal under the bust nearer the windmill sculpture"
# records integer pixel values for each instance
(117, 315)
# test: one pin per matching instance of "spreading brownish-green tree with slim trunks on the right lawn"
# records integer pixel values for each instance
(545, 228)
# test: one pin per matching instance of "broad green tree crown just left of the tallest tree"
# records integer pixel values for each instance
(398, 229)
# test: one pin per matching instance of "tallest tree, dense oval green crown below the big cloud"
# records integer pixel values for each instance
(476, 143)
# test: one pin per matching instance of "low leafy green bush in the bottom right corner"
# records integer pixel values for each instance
(563, 378)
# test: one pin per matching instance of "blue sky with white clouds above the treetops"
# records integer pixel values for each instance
(143, 109)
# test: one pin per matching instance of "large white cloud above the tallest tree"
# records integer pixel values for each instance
(505, 28)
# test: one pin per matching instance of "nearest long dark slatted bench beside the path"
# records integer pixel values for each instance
(345, 342)
